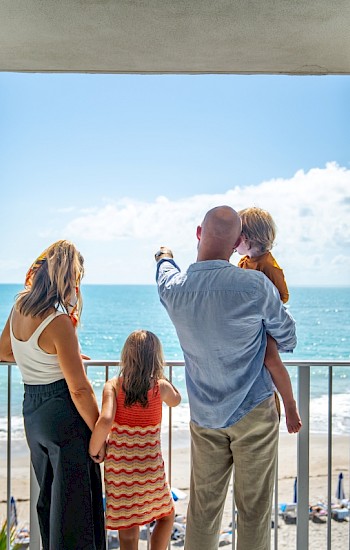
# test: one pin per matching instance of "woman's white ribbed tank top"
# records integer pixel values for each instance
(36, 366)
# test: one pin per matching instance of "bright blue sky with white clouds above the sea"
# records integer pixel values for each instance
(122, 164)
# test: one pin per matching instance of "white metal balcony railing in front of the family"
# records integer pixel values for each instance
(303, 445)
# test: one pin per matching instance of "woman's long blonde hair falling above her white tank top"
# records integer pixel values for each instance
(56, 283)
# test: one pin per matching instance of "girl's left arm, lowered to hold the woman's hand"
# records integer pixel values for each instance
(105, 421)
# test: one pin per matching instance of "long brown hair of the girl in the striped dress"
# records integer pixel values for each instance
(142, 361)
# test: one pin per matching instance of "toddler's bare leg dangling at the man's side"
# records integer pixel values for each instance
(283, 384)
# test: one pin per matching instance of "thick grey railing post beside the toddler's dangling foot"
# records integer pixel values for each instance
(303, 459)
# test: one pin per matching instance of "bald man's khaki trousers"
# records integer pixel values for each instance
(250, 446)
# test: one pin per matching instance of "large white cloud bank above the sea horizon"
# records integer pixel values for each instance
(311, 210)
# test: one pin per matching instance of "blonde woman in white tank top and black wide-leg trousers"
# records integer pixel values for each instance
(59, 407)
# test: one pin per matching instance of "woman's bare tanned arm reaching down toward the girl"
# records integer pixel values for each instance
(65, 341)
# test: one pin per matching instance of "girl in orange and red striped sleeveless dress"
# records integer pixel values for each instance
(137, 492)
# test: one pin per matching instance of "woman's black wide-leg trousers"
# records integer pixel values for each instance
(70, 506)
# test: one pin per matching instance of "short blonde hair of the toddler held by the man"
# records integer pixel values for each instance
(258, 228)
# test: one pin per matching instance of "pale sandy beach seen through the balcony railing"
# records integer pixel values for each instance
(181, 474)
